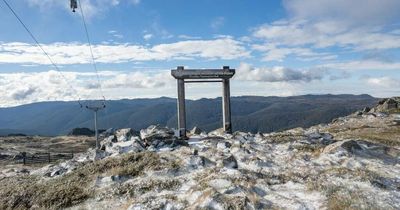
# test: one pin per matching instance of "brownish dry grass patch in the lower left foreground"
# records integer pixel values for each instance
(27, 192)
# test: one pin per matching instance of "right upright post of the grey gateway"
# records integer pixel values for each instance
(226, 106)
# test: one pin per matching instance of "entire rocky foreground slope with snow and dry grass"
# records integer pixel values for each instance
(351, 163)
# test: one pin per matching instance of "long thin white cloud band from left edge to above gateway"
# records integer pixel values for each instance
(77, 53)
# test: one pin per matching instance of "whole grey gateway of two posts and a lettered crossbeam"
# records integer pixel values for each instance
(203, 75)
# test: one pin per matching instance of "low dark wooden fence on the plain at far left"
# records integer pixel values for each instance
(44, 157)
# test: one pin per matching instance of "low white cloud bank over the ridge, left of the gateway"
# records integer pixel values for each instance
(21, 88)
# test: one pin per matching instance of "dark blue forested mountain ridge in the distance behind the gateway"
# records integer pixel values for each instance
(249, 113)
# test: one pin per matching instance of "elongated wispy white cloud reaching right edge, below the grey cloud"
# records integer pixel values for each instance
(319, 35)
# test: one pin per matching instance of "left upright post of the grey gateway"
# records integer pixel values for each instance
(181, 107)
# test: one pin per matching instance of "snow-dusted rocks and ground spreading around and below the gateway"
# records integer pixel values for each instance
(295, 169)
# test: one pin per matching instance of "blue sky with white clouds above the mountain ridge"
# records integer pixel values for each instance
(278, 48)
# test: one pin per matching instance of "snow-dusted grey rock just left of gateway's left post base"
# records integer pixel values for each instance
(157, 132)
